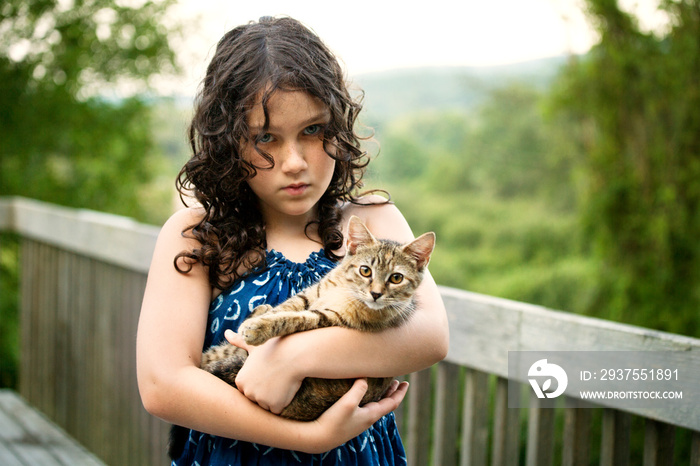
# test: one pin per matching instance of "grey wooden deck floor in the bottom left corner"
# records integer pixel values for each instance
(28, 438)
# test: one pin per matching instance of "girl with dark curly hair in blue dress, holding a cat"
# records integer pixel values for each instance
(275, 164)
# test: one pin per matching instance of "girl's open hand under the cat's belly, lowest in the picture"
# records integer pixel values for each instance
(346, 419)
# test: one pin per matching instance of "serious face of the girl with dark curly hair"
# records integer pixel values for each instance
(302, 170)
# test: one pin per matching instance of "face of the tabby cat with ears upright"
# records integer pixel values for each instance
(384, 273)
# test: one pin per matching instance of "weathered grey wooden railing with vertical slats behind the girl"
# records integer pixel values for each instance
(83, 274)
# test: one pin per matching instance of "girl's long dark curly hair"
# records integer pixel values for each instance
(250, 60)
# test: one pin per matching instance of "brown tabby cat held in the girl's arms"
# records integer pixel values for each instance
(371, 289)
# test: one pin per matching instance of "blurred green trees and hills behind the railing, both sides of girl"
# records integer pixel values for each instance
(572, 182)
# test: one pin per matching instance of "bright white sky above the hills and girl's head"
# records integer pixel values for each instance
(377, 35)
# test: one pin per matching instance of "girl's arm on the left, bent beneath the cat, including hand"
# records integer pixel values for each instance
(169, 344)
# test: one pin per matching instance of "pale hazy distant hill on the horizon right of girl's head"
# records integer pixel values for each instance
(397, 92)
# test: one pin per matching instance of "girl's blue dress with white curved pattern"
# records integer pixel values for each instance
(280, 279)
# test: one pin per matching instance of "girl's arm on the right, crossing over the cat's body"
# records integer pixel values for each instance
(343, 353)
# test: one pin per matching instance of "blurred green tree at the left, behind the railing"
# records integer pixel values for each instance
(59, 139)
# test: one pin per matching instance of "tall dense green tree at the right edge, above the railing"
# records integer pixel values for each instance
(636, 97)
